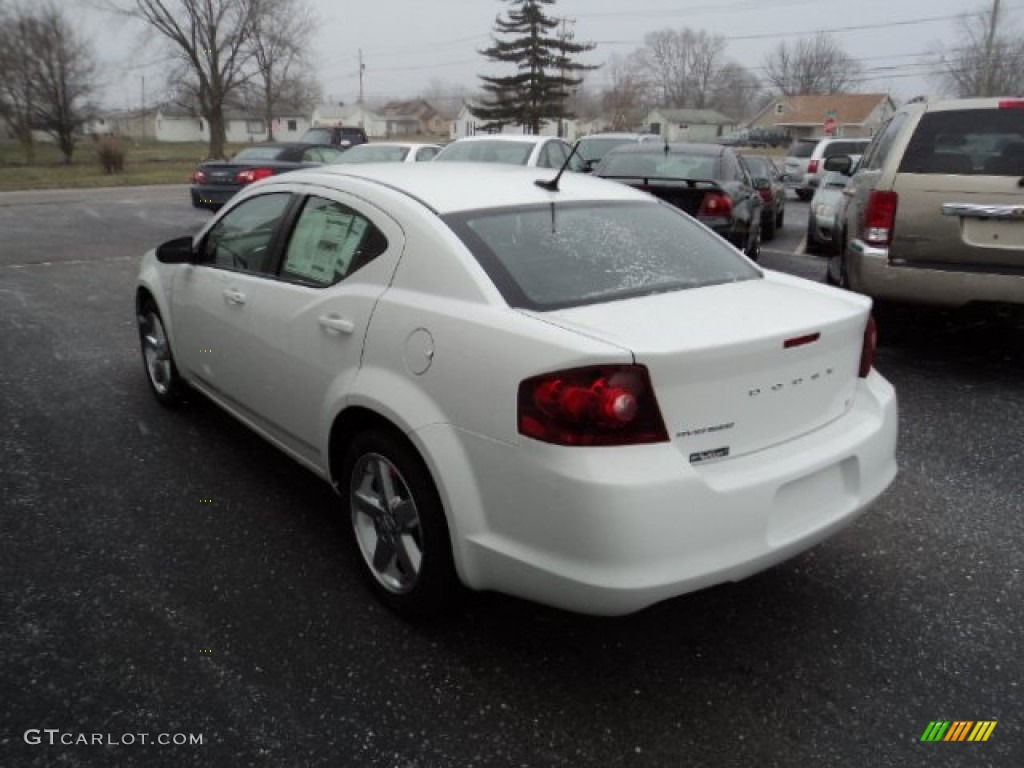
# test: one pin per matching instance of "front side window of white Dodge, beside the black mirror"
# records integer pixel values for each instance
(241, 240)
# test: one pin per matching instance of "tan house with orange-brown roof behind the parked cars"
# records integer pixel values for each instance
(814, 116)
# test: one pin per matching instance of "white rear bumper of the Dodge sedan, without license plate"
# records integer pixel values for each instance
(611, 532)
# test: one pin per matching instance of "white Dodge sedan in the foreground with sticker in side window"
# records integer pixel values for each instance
(579, 396)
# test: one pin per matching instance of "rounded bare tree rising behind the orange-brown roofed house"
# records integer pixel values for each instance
(816, 65)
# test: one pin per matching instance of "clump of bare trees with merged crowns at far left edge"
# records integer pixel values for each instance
(48, 71)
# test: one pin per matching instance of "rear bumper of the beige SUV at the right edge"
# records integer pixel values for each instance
(870, 272)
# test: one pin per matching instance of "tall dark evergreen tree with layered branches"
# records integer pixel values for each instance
(545, 71)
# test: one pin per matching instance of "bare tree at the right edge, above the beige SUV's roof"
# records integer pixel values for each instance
(988, 61)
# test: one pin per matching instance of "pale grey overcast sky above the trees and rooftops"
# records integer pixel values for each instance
(409, 45)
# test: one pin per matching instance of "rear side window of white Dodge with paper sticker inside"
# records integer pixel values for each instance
(329, 243)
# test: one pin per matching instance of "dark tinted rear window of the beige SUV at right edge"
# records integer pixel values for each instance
(970, 143)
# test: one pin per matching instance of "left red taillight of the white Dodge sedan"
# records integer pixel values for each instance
(594, 406)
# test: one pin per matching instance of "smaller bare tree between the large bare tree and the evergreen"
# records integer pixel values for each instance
(281, 31)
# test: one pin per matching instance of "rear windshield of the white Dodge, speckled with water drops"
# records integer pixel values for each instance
(556, 257)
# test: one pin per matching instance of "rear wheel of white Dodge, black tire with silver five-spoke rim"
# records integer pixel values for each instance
(398, 526)
